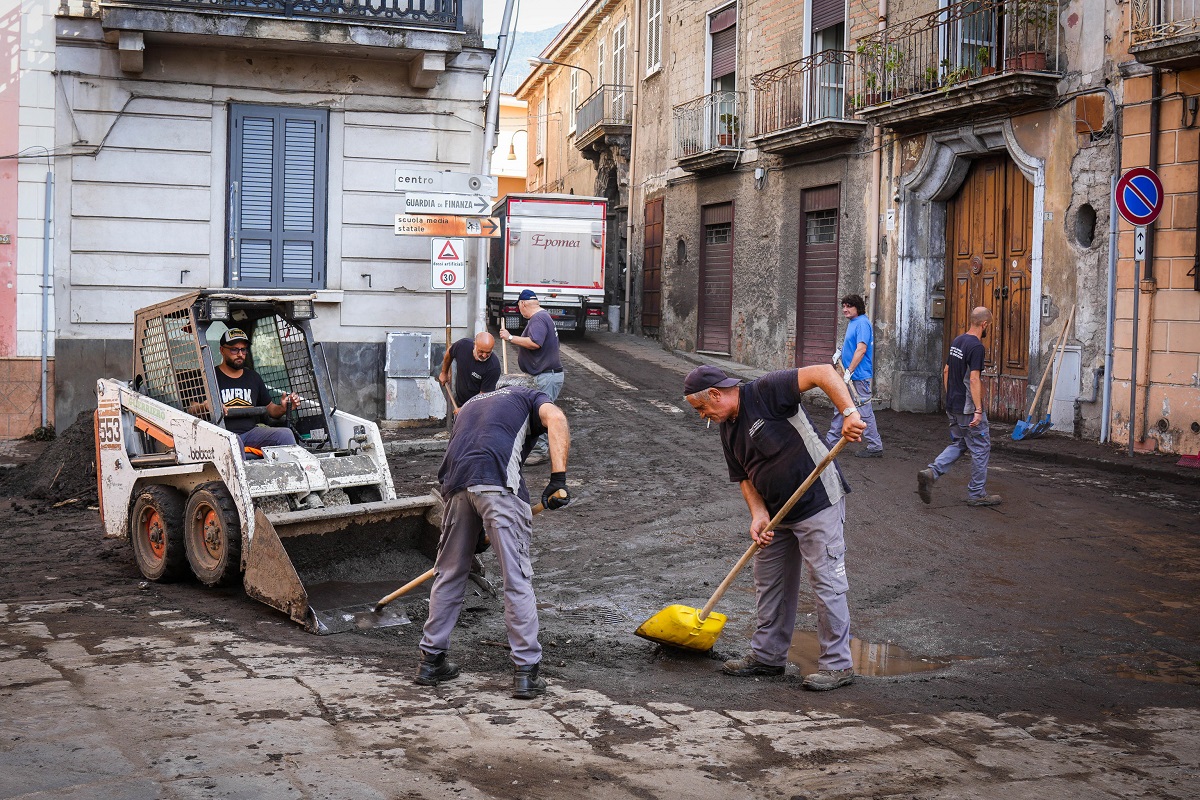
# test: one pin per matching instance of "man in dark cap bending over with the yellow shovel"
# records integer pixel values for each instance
(771, 447)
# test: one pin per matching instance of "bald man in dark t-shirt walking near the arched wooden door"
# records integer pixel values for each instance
(964, 406)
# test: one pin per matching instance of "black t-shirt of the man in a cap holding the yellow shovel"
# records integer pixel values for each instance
(775, 444)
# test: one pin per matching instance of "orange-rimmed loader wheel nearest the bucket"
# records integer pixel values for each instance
(213, 534)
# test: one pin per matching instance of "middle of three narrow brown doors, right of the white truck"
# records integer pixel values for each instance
(716, 279)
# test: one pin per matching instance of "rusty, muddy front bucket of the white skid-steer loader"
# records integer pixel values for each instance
(327, 568)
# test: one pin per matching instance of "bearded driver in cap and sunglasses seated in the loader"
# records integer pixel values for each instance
(243, 388)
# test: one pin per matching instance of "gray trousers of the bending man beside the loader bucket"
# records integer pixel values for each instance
(508, 522)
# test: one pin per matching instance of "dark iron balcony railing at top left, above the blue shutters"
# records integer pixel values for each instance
(442, 14)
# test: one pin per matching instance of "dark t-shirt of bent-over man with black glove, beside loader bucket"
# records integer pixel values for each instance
(493, 436)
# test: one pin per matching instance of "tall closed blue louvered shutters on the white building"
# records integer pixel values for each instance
(278, 175)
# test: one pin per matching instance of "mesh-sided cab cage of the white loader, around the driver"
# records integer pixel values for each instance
(177, 353)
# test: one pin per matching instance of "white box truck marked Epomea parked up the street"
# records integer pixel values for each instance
(555, 245)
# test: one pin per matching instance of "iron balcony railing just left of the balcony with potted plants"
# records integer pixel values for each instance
(802, 93)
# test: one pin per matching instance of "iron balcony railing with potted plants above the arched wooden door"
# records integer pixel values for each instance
(957, 45)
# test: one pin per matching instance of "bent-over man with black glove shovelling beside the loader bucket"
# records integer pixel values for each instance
(484, 492)
